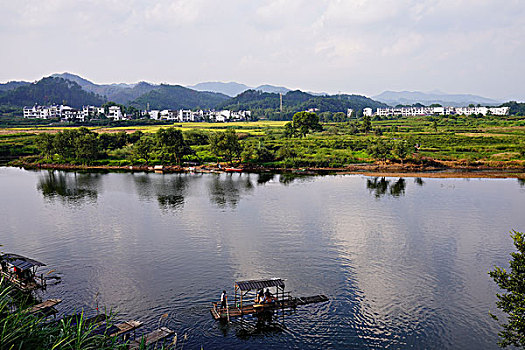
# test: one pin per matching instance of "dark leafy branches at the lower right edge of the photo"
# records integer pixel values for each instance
(512, 301)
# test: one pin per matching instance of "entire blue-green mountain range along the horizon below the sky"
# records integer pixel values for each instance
(264, 100)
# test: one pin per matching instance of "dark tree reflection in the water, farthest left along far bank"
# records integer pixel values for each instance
(74, 188)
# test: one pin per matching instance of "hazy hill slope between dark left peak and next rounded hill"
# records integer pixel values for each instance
(120, 93)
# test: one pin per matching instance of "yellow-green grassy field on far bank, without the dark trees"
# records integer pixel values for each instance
(490, 140)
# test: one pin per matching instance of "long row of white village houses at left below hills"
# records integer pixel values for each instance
(86, 113)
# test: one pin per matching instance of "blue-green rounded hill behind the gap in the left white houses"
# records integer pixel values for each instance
(178, 97)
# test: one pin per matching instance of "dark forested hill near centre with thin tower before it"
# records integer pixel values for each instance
(268, 104)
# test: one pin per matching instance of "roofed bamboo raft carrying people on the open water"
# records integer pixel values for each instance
(282, 300)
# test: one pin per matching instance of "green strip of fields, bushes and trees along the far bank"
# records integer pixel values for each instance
(317, 141)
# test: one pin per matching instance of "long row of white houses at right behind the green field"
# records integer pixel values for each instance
(422, 111)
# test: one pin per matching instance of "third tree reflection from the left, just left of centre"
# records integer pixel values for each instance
(225, 191)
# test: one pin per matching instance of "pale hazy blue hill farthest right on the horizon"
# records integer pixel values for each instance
(394, 98)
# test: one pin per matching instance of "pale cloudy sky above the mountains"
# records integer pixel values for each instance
(348, 46)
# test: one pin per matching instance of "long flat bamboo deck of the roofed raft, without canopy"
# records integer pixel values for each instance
(218, 313)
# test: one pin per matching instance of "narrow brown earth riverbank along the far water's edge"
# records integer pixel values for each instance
(428, 169)
